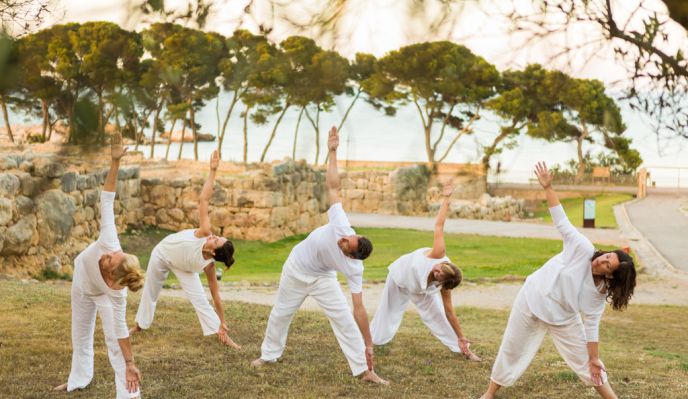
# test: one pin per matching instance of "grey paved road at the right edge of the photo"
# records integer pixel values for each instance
(659, 218)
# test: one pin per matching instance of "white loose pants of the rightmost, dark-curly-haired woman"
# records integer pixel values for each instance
(523, 337)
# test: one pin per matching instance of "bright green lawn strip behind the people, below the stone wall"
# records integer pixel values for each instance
(479, 257)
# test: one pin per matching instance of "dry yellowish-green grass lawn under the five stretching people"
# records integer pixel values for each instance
(644, 349)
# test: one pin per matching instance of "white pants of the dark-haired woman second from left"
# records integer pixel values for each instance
(193, 289)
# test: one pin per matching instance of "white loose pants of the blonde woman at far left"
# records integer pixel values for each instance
(84, 310)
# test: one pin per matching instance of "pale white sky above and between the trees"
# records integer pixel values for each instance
(378, 26)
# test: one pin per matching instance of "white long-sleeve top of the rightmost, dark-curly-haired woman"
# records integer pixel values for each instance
(563, 288)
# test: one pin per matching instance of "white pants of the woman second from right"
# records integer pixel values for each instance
(393, 304)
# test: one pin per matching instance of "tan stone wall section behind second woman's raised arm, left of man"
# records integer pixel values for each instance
(261, 205)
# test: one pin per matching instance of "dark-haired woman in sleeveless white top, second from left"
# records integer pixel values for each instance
(187, 254)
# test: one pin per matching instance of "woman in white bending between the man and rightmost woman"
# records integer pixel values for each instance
(425, 277)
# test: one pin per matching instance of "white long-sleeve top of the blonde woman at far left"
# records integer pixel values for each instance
(87, 276)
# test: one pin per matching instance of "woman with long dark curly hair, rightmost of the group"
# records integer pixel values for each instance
(565, 298)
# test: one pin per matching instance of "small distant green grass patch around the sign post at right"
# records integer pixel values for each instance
(604, 212)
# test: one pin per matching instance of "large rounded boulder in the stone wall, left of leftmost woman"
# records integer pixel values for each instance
(54, 210)
